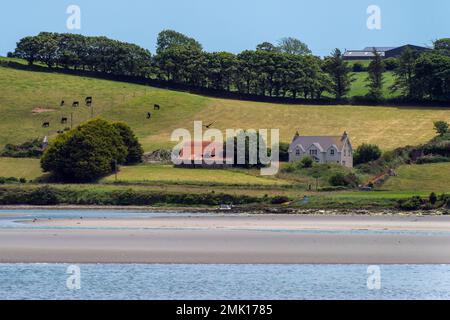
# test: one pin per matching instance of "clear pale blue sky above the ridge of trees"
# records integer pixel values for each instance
(234, 25)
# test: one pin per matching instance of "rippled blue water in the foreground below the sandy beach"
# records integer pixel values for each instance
(174, 282)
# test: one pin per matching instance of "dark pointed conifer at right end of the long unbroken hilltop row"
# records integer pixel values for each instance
(340, 73)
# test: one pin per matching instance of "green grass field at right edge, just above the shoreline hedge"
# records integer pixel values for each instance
(427, 177)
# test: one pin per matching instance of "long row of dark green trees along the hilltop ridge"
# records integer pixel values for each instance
(287, 69)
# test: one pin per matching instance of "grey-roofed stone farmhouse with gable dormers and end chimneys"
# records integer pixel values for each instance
(322, 149)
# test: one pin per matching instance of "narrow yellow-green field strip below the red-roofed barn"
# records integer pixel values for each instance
(167, 174)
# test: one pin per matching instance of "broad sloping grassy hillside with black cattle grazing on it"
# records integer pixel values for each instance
(21, 92)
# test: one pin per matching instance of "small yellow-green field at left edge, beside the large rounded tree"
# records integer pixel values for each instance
(20, 168)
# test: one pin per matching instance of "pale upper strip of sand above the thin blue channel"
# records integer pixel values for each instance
(265, 222)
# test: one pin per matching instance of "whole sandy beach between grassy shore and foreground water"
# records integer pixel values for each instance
(266, 239)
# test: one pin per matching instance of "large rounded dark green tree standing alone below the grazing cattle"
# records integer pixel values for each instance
(85, 153)
